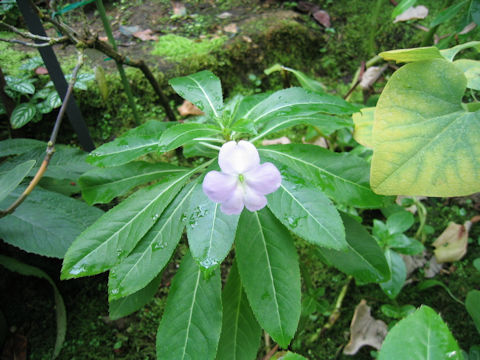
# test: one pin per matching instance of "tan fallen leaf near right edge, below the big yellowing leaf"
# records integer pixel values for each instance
(451, 245)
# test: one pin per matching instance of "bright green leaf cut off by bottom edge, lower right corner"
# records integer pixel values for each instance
(421, 335)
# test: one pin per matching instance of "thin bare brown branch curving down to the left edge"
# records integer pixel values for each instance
(51, 144)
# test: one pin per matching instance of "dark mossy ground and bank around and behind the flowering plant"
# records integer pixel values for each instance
(268, 33)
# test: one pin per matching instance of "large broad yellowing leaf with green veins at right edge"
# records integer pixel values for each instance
(425, 142)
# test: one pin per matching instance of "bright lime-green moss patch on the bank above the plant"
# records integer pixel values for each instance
(179, 48)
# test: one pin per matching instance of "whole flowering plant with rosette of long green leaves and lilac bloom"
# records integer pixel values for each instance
(242, 199)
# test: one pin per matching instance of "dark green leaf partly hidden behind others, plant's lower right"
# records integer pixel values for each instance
(363, 259)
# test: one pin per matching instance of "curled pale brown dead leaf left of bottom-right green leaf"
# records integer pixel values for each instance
(365, 330)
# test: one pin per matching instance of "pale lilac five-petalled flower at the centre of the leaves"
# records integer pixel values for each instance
(243, 181)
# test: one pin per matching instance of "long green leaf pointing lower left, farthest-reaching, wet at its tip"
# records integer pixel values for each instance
(116, 233)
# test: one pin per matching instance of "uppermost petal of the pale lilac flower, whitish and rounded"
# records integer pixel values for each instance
(238, 158)
